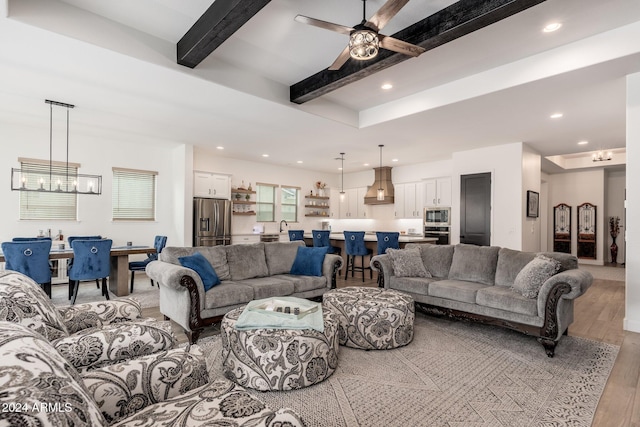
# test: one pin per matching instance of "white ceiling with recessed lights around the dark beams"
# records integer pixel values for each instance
(116, 61)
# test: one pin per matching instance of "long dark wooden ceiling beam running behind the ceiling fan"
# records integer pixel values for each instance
(450, 23)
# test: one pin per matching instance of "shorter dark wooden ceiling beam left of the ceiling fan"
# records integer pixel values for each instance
(217, 24)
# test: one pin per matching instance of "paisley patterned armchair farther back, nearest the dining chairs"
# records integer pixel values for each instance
(88, 335)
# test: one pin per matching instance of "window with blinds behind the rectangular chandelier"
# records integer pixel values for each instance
(47, 205)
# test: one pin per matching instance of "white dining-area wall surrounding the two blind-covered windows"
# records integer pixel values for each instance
(97, 157)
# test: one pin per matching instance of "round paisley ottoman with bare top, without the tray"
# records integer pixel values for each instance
(372, 318)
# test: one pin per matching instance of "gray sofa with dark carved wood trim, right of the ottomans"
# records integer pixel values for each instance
(477, 283)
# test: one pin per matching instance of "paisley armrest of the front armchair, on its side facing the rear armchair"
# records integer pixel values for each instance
(123, 389)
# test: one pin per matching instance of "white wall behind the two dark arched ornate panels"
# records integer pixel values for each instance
(575, 188)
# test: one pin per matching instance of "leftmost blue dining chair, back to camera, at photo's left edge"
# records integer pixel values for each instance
(30, 258)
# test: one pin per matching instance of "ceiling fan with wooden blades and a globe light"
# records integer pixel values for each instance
(364, 38)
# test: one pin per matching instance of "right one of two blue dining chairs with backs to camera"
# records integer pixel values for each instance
(91, 261)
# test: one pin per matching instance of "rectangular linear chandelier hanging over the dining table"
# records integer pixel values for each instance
(57, 178)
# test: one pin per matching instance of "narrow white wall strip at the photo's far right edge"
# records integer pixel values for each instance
(632, 310)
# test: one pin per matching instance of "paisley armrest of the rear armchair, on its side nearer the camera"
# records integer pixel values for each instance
(94, 348)
